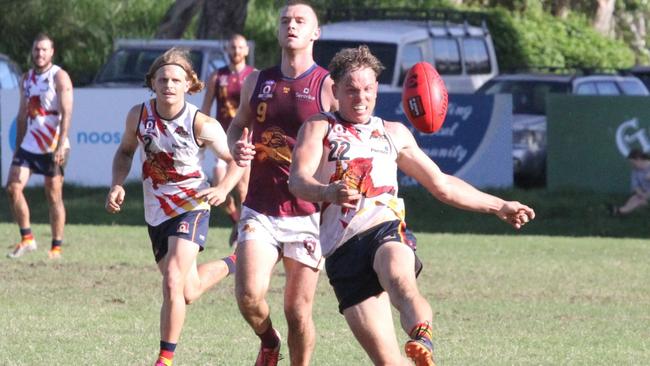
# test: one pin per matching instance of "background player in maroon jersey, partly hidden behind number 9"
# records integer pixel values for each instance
(224, 87)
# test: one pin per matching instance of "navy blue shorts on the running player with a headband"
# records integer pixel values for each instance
(192, 226)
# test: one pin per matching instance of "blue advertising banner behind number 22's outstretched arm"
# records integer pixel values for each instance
(475, 142)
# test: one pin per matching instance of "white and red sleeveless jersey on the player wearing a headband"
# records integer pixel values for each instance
(171, 168)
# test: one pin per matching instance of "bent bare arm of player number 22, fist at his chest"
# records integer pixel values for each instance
(305, 161)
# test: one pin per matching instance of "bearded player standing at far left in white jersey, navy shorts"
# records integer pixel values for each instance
(41, 144)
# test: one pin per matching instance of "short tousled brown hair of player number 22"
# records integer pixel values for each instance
(351, 59)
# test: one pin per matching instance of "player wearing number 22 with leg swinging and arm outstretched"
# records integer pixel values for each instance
(348, 161)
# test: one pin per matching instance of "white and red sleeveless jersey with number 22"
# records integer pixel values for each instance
(364, 157)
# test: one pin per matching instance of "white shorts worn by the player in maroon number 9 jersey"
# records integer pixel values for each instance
(295, 237)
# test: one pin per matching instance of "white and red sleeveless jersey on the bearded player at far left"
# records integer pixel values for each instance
(43, 117)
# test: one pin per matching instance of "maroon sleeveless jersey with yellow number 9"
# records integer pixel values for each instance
(280, 105)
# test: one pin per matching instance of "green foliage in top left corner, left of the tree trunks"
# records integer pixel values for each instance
(83, 30)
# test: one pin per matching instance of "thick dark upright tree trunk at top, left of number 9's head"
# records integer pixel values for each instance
(222, 18)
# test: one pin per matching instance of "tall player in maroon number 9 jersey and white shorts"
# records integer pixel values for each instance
(275, 224)
